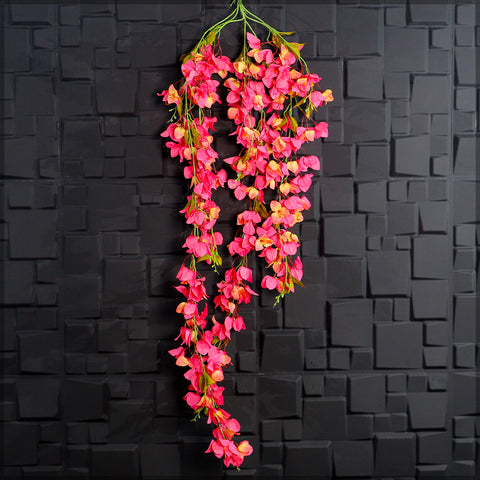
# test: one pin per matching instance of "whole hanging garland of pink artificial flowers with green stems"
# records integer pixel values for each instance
(271, 97)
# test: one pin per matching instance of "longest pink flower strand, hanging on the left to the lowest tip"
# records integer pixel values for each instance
(201, 348)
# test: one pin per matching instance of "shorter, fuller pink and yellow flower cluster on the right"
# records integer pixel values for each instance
(264, 85)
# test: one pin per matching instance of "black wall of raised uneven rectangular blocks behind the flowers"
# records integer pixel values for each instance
(368, 370)
